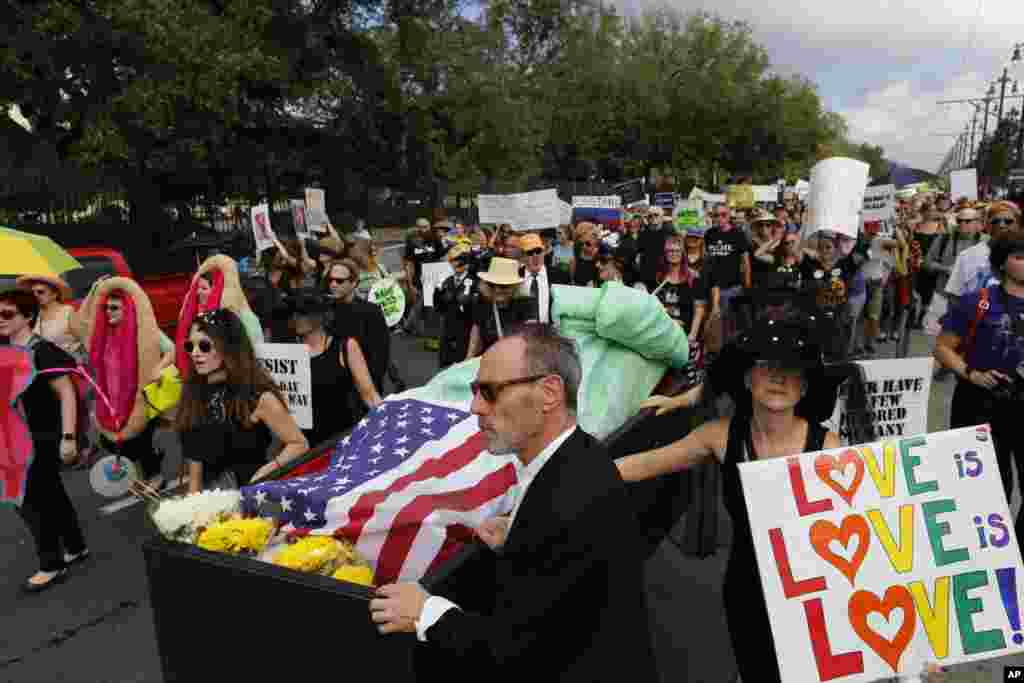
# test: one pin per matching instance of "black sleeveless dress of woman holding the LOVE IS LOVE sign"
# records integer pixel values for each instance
(746, 613)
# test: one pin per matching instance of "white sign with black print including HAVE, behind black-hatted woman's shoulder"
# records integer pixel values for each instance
(898, 399)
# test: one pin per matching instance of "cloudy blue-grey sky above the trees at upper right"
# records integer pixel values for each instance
(883, 65)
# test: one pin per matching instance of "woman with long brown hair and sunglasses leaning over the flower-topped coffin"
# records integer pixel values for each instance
(231, 409)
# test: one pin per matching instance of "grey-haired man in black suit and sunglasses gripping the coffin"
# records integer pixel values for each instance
(570, 601)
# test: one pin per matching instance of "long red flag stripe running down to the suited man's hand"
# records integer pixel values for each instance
(407, 525)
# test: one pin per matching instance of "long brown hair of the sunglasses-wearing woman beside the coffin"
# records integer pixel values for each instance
(247, 380)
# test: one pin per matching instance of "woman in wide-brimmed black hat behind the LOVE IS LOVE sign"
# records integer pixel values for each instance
(783, 392)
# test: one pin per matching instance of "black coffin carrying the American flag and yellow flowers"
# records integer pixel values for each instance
(207, 605)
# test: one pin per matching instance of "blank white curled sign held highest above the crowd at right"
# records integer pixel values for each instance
(837, 197)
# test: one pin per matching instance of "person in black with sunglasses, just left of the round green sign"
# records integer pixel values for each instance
(355, 319)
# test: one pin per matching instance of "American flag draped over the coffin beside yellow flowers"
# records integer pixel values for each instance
(408, 486)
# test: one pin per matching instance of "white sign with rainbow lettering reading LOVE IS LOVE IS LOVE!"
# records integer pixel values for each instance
(880, 559)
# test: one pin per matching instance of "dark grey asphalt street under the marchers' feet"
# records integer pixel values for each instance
(99, 628)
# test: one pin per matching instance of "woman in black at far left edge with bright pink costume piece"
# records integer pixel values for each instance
(49, 408)
